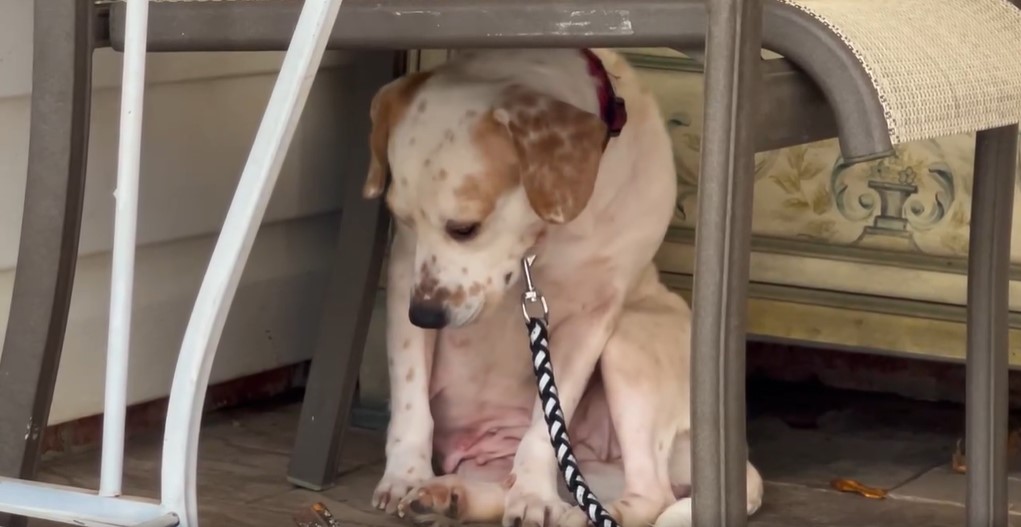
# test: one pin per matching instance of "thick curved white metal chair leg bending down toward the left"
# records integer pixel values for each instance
(231, 254)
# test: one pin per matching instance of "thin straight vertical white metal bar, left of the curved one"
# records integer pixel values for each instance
(123, 274)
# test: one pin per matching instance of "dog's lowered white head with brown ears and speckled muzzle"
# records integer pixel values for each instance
(479, 171)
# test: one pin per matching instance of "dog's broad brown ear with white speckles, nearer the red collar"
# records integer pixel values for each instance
(560, 148)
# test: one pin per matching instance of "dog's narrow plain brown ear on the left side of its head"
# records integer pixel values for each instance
(387, 109)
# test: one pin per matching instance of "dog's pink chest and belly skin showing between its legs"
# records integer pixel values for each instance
(482, 395)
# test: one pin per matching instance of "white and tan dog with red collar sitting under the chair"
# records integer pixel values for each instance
(492, 157)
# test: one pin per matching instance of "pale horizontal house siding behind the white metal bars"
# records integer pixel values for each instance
(202, 113)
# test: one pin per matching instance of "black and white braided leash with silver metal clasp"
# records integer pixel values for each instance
(539, 338)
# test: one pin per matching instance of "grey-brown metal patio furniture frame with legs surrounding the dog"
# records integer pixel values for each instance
(742, 91)
